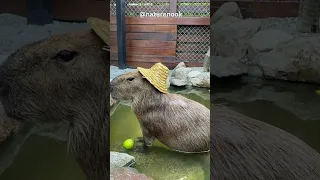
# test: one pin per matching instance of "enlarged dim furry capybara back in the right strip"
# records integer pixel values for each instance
(247, 149)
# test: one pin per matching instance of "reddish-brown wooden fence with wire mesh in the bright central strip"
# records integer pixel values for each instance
(156, 39)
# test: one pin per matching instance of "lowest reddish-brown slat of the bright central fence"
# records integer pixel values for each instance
(145, 58)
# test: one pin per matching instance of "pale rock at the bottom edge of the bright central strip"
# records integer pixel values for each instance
(126, 173)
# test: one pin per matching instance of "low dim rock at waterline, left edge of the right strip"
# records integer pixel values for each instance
(227, 66)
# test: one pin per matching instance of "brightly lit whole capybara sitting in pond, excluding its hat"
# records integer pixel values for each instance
(178, 122)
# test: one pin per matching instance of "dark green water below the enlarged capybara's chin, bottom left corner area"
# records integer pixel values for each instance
(42, 158)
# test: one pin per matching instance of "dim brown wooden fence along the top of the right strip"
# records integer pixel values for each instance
(263, 8)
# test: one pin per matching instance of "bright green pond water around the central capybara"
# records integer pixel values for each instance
(161, 162)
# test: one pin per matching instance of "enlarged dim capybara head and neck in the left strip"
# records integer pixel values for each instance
(64, 78)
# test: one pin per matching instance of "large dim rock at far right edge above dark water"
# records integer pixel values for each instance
(298, 60)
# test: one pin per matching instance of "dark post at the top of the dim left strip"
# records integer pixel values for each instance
(39, 12)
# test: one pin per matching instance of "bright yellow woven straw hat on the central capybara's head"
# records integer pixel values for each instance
(157, 75)
